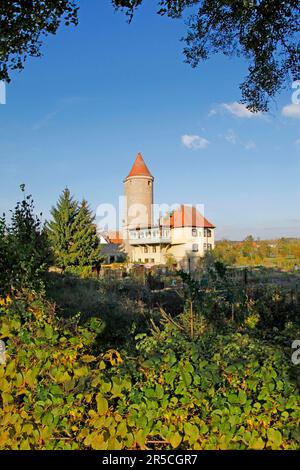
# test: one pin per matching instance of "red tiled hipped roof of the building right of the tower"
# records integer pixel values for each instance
(186, 216)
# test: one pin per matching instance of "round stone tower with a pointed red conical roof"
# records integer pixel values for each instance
(138, 189)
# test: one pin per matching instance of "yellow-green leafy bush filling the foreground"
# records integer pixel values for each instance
(213, 392)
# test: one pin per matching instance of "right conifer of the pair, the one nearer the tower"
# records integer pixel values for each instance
(85, 249)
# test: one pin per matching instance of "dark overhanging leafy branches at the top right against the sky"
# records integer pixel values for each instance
(265, 32)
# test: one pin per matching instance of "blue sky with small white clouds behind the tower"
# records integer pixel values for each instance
(106, 90)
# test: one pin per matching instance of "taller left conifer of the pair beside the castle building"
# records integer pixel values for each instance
(61, 229)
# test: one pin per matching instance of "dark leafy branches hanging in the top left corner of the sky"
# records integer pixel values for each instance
(23, 24)
